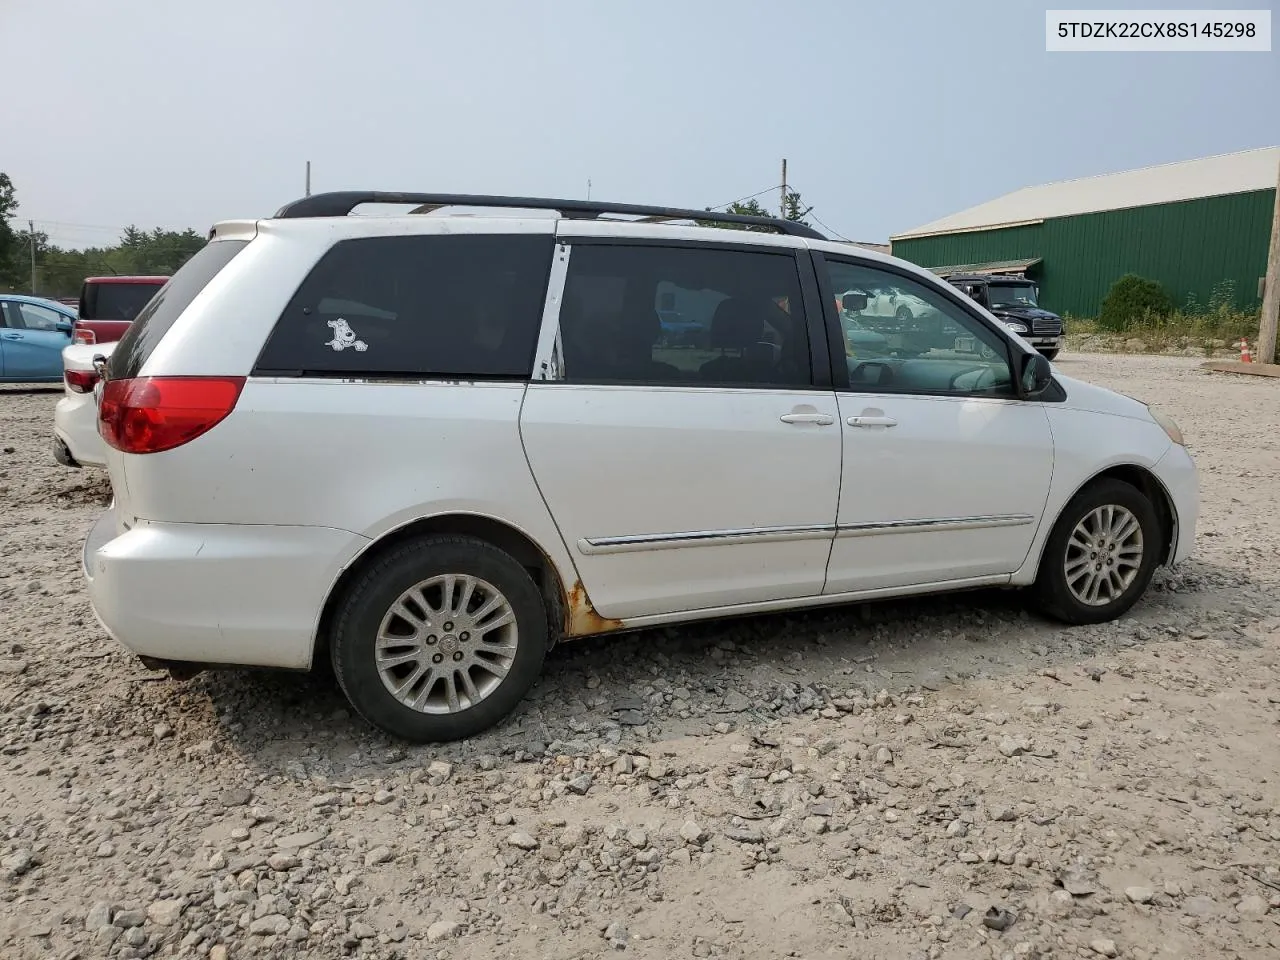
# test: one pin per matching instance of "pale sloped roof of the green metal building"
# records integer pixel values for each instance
(1165, 184)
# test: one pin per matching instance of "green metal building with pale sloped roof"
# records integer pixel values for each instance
(1200, 227)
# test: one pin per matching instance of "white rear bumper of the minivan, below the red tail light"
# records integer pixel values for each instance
(214, 593)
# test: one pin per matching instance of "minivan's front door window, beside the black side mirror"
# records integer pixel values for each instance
(902, 337)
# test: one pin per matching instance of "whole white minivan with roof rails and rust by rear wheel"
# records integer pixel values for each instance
(428, 447)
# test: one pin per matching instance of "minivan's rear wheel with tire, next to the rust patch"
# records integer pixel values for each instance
(440, 639)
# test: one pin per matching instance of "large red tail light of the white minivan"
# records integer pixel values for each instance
(154, 414)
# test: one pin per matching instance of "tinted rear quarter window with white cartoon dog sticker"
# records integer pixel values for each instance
(454, 307)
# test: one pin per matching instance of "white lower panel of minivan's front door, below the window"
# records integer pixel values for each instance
(980, 467)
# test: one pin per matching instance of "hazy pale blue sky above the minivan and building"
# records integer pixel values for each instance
(890, 113)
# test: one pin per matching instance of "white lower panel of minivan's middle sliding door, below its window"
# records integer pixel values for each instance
(641, 461)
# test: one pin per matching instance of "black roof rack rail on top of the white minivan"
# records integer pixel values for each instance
(342, 203)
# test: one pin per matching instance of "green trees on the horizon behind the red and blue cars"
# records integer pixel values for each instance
(61, 272)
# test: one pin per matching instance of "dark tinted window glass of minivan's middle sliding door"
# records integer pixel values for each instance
(684, 317)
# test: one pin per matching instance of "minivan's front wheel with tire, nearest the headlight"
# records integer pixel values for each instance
(1101, 555)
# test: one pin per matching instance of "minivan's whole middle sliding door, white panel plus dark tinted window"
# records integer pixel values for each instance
(688, 473)
